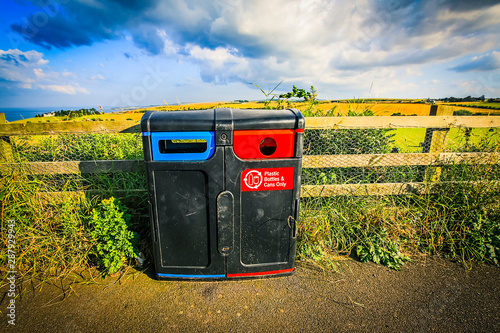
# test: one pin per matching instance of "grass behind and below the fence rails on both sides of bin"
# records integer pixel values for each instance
(459, 220)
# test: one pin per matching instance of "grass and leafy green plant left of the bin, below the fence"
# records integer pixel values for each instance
(61, 236)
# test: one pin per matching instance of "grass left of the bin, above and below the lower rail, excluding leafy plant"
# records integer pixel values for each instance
(53, 233)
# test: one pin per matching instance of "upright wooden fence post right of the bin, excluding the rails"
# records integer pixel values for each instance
(435, 140)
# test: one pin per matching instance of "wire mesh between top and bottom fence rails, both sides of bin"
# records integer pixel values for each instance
(332, 156)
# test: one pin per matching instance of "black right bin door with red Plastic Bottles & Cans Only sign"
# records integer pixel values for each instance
(265, 212)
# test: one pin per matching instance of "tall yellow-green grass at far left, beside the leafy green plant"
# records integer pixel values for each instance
(50, 237)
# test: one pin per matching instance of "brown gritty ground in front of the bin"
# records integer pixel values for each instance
(429, 294)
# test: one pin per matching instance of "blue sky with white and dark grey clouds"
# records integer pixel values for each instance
(126, 53)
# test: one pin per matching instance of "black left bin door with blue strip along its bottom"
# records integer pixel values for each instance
(184, 197)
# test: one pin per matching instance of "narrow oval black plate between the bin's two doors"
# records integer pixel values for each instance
(225, 222)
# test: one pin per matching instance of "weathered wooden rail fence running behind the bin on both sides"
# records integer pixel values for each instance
(437, 126)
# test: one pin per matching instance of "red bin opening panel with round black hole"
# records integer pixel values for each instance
(260, 144)
